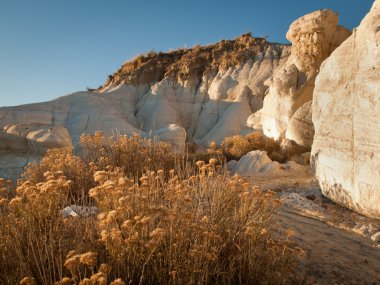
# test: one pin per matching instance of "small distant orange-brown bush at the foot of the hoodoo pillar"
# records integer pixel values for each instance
(233, 148)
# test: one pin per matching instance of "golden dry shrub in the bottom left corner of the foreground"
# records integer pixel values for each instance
(34, 236)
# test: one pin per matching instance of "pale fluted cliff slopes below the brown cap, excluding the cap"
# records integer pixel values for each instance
(209, 107)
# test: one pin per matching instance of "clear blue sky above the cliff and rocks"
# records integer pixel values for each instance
(50, 48)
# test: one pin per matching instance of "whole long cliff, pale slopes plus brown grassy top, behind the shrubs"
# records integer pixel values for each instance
(203, 94)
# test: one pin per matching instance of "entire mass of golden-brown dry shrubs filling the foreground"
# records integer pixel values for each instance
(168, 224)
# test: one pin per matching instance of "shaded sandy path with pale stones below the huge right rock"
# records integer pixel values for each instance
(337, 241)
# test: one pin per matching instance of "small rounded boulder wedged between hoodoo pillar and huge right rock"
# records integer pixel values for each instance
(301, 128)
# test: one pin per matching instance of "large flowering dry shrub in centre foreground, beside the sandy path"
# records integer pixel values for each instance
(208, 229)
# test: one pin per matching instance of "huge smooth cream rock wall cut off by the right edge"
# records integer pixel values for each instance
(346, 116)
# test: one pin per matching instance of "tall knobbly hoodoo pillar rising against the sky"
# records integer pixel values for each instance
(314, 37)
